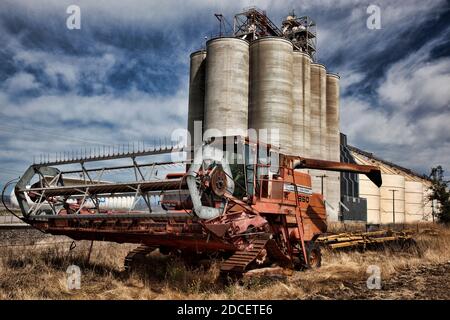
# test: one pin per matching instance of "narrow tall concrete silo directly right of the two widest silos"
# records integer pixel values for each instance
(301, 117)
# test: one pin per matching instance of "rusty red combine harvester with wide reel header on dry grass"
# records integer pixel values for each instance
(242, 201)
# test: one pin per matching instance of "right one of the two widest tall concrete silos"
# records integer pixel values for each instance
(271, 83)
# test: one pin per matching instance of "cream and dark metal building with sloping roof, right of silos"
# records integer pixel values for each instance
(403, 197)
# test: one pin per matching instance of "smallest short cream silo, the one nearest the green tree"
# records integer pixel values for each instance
(414, 204)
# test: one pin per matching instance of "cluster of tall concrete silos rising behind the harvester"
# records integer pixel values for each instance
(265, 84)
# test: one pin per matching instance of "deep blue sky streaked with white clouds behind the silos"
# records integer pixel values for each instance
(124, 76)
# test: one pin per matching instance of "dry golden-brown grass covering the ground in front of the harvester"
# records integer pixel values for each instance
(39, 272)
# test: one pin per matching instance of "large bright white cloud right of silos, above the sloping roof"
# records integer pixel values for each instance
(407, 120)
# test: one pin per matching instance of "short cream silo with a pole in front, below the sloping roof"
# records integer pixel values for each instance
(390, 200)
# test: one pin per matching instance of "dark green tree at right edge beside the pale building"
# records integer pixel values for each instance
(440, 193)
